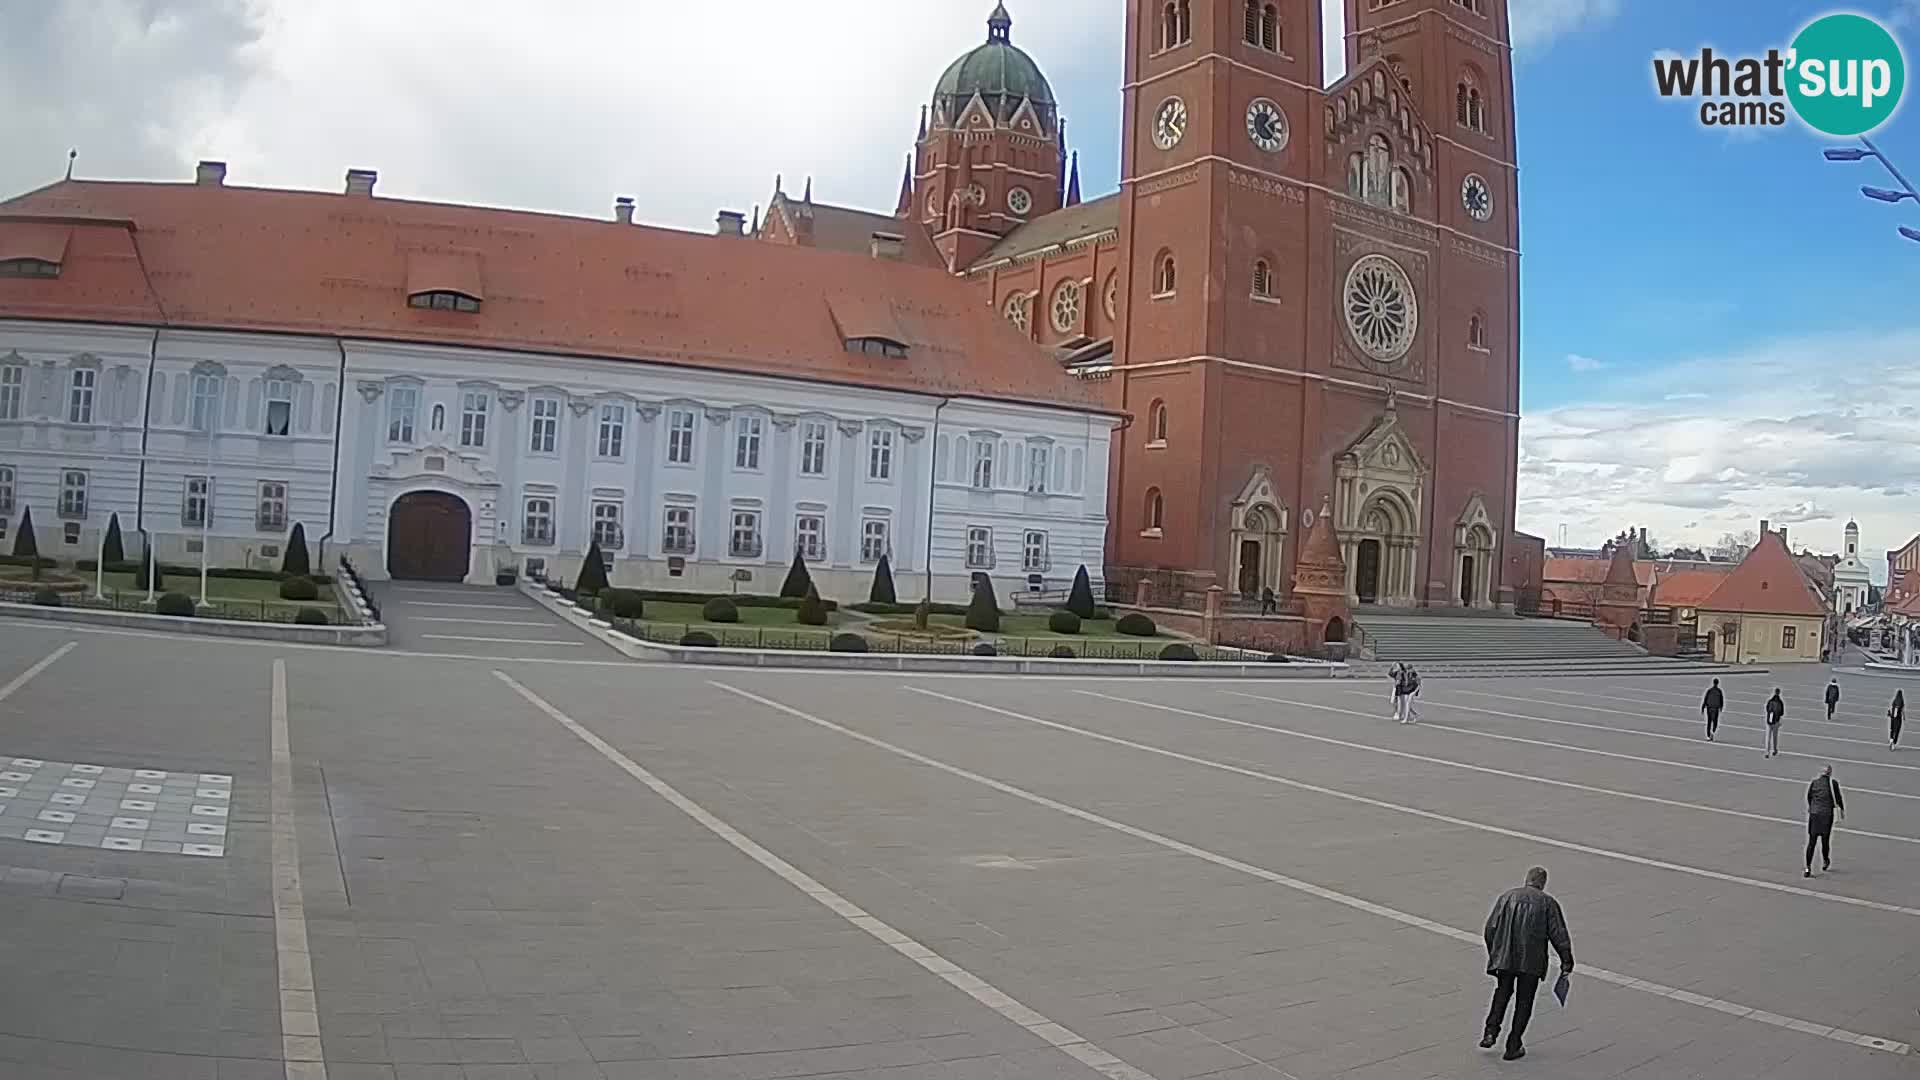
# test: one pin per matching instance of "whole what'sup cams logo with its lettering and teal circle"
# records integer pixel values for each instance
(1842, 76)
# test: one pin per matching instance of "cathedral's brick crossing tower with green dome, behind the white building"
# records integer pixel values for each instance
(992, 153)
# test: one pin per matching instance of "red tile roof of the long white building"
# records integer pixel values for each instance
(329, 264)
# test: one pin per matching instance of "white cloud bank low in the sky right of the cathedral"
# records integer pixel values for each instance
(1716, 445)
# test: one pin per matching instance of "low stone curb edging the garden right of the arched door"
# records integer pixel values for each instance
(636, 649)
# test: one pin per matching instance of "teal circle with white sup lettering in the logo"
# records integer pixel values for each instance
(1846, 76)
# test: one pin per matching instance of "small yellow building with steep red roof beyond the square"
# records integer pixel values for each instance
(1765, 612)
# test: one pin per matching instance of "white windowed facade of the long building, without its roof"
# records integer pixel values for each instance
(690, 478)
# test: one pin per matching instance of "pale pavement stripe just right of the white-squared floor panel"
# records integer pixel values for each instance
(300, 1014)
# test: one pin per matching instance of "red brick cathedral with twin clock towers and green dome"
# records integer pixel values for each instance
(1305, 299)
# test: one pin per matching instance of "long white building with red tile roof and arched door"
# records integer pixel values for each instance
(443, 393)
